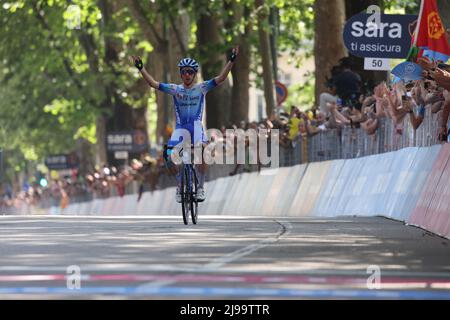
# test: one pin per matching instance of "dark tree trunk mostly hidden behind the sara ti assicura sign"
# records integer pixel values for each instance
(369, 77)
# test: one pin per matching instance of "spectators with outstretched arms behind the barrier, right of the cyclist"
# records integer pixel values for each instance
(345, 104)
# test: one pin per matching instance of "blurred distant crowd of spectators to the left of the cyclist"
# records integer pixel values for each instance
(102, 182)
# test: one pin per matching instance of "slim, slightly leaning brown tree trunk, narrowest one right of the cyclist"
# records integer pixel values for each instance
(264, 47)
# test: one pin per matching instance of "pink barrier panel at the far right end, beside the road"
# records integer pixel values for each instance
(433, 208)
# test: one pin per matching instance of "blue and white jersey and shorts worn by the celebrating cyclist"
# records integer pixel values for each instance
(189, 106)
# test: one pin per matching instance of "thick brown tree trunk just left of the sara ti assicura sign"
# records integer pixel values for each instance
(328, 44)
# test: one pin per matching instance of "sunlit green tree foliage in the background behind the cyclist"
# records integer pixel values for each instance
(57, 81)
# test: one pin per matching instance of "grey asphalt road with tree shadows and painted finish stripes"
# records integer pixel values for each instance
(221, 258)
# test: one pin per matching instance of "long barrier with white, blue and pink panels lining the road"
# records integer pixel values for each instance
(410, 185)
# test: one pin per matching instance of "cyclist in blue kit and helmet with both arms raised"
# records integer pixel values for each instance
(189, 102)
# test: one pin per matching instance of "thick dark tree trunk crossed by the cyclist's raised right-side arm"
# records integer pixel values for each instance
(218, 100)
